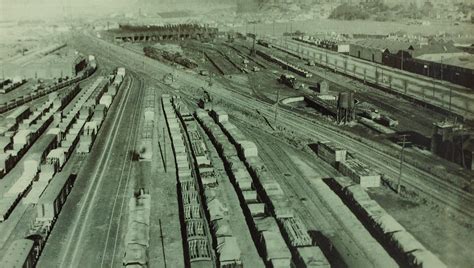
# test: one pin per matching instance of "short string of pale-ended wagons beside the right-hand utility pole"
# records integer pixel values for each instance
(348, 166)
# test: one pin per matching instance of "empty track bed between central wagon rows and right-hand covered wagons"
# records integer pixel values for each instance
(314, 211)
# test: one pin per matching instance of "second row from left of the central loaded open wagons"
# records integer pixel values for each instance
(225, 243)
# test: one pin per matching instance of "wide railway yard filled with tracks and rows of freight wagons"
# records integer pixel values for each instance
(255, 175)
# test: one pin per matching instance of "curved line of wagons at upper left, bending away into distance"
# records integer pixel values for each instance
(91, 68)
